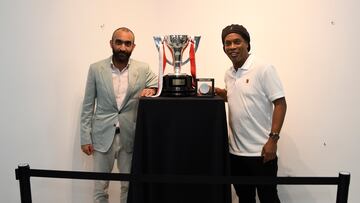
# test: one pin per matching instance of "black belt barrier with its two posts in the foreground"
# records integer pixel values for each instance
(23, 174)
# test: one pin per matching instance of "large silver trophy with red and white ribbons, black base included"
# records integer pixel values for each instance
(177, 83)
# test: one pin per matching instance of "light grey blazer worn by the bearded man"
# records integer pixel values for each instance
(100, 112)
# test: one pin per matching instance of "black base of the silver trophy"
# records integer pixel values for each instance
(177, 86)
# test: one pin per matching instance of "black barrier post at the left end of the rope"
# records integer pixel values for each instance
(22, 174)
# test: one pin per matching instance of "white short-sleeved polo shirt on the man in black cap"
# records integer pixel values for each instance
(250, 92)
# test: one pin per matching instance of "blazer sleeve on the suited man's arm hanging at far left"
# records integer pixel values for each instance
(88, 108)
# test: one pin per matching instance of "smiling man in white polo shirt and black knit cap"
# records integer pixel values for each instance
(257, 108)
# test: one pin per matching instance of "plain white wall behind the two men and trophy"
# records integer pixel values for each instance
(47, 46)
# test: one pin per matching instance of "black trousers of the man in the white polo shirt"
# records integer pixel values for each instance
(254, 166)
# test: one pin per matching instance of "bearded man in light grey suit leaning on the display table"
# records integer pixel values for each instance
(109, 109)
